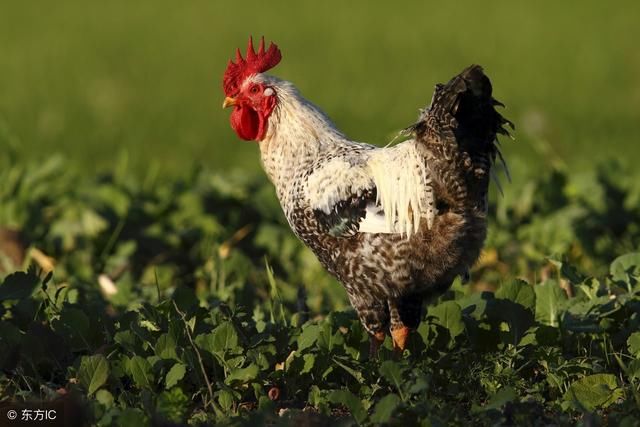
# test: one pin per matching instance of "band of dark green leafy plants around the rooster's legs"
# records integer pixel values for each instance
(152, 302)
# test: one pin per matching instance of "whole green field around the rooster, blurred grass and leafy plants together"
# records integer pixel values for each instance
(148, 276)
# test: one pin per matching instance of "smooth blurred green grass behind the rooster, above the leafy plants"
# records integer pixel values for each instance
(99, 81)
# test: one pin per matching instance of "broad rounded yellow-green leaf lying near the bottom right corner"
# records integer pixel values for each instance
(594, 391)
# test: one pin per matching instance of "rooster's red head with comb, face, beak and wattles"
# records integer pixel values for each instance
(251, 97)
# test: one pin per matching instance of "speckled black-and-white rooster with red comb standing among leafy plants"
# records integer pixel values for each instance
(395, 225)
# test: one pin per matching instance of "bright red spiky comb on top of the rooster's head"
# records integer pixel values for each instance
(259, 62)
